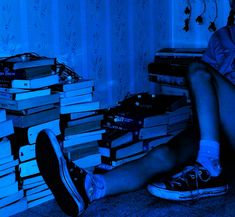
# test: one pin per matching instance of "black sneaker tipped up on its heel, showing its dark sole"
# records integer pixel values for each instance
(64, 178)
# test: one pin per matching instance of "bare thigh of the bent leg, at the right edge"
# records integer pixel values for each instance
(225, 91)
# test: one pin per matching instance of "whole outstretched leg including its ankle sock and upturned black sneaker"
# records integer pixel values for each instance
(74, 188)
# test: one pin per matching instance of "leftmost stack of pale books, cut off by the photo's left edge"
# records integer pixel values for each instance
(12, 198)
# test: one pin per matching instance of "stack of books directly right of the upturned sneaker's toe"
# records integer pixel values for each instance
(80, 122)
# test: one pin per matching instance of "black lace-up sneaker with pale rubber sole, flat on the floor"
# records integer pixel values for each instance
(192, 183)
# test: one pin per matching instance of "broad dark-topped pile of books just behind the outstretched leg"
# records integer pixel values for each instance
(140, 123)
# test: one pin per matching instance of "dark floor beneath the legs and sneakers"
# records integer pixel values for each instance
(142, 204)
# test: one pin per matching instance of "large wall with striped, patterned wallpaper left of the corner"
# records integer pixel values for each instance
(110, 41)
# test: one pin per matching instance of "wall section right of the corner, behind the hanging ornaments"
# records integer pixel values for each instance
(198, 35)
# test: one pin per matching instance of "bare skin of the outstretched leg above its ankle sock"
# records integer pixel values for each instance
(136, 174)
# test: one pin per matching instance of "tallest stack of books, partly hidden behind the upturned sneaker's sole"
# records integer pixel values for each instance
(26, 95)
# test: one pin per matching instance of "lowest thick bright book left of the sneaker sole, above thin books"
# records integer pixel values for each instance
(28, 168)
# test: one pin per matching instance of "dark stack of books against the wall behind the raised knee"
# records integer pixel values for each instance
(170, 68)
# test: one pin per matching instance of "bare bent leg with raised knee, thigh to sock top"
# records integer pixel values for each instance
(214, 101)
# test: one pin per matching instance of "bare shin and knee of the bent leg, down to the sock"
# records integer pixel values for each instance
(205, 100)
